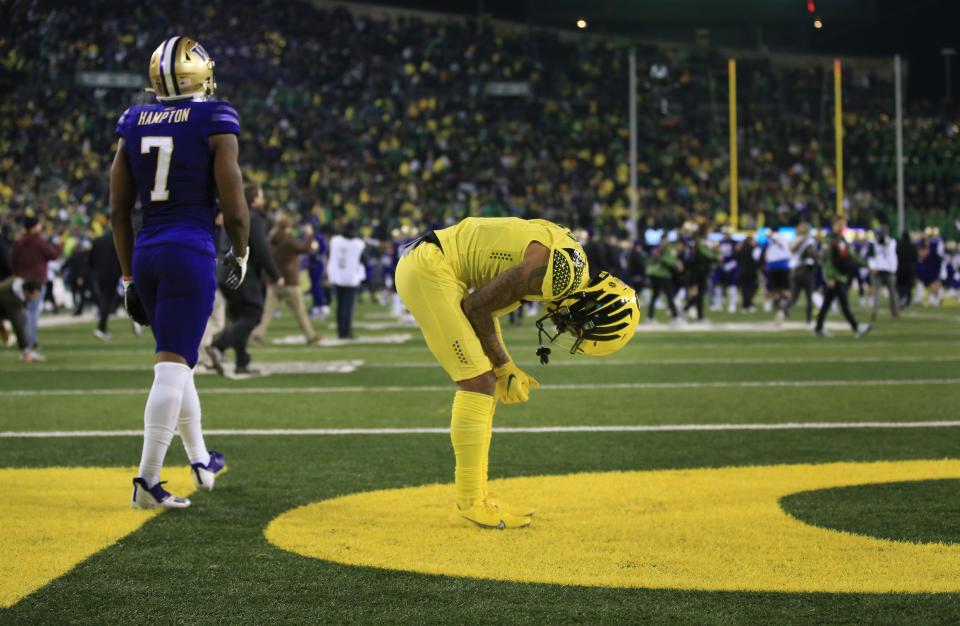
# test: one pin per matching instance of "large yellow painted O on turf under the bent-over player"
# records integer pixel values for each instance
(704, 529)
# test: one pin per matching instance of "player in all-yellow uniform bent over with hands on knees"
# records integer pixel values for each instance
(457, 281)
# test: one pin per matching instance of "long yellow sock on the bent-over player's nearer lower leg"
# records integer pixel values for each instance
(469, 430)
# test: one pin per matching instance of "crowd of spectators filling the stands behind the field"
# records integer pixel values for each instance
(402, 124)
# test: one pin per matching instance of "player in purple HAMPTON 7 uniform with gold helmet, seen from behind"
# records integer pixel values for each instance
(177, 156)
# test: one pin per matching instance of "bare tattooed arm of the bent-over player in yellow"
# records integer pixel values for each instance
(511, 286)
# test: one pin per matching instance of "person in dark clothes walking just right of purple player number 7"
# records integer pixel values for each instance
(245, 304)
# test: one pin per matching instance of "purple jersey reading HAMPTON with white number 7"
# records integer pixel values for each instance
(168, 150)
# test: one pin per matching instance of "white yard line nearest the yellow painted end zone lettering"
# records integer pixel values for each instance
(260, 432)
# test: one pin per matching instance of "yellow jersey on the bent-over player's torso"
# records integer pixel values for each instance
(481, 248)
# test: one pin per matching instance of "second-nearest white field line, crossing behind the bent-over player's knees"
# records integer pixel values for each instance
(567, 387)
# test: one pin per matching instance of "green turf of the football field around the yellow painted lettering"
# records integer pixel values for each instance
(214, 562)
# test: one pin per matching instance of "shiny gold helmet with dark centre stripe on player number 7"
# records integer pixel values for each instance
(179, 69)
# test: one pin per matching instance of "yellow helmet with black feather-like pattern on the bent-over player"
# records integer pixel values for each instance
(598, 320)
